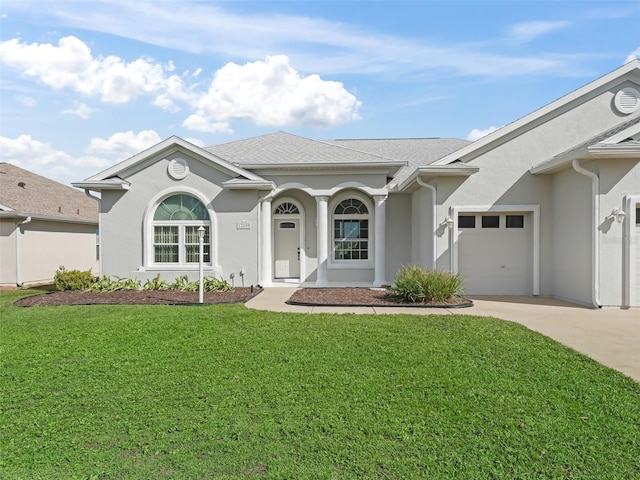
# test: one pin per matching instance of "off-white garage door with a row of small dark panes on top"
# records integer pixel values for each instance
(495, 253)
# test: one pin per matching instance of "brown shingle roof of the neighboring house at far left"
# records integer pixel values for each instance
(24, 194)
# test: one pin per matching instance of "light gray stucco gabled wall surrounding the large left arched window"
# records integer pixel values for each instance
(125, 213)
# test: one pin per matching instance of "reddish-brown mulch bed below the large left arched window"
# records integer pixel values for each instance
(140, 297)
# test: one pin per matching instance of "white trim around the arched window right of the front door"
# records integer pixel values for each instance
(369, 216)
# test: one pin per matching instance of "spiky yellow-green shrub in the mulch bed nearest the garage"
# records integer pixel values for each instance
(421, 285)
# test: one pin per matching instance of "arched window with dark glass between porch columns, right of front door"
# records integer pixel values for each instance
(351, 230)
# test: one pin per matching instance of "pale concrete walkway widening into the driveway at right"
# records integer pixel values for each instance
(609, 335)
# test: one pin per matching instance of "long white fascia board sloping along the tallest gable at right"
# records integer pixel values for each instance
(504, 132)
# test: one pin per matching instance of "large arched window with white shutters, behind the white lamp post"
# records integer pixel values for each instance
(175, 230)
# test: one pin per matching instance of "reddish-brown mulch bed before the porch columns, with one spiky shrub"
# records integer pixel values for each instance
(363, 297)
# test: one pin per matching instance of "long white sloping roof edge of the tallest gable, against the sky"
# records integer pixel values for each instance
(527, 122)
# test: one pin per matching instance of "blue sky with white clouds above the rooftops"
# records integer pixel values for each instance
(85, 84)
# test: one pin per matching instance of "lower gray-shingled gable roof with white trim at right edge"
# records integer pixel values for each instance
(621, 140)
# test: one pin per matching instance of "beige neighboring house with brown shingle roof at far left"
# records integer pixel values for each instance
(43, 225)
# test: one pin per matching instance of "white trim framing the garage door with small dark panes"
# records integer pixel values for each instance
(533, 209)
